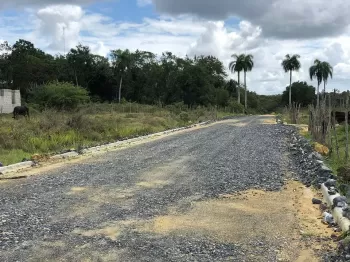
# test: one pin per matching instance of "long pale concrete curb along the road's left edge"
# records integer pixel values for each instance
(94, 150)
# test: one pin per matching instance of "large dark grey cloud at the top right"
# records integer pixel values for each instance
(278, 18)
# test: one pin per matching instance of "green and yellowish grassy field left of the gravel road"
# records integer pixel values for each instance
(51, 131)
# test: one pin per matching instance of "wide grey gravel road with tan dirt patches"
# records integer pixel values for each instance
(166, 200)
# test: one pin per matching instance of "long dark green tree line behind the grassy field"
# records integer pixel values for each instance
(139, 76)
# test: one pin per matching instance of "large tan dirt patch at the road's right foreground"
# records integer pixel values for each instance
(240, 218)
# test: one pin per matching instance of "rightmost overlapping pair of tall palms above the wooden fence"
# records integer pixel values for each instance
(321, 71)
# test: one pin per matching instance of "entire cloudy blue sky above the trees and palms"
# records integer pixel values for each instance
(193, 27)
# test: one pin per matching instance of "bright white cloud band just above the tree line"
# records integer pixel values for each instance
(182, 35)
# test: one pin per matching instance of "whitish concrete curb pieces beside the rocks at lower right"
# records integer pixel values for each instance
(337, 212)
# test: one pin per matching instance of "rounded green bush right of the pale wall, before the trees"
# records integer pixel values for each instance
(59, 95)
